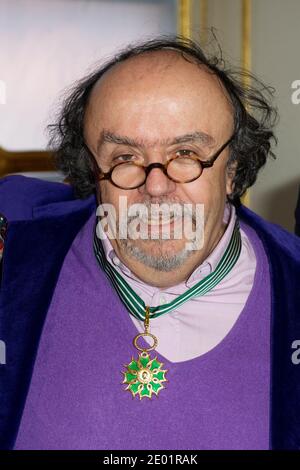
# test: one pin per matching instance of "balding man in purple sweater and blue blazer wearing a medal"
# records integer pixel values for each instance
(214, 318)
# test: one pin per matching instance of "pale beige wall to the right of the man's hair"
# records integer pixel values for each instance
(275, 57)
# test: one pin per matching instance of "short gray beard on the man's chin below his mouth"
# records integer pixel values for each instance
(161, 262)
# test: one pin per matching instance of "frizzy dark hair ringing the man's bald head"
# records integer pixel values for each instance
(254, 117)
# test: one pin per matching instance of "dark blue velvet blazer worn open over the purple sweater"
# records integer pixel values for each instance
(44, 218)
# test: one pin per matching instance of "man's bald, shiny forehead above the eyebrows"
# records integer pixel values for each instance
(158, 93)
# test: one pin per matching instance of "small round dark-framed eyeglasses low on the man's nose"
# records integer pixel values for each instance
(180, 169)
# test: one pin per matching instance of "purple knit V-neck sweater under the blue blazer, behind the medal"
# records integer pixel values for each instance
(219, 400)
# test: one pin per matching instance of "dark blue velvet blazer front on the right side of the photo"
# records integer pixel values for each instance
(283, 251)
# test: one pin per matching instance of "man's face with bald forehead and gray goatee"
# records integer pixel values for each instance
(150, 109)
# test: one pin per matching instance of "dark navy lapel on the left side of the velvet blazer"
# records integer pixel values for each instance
(33, 256)
